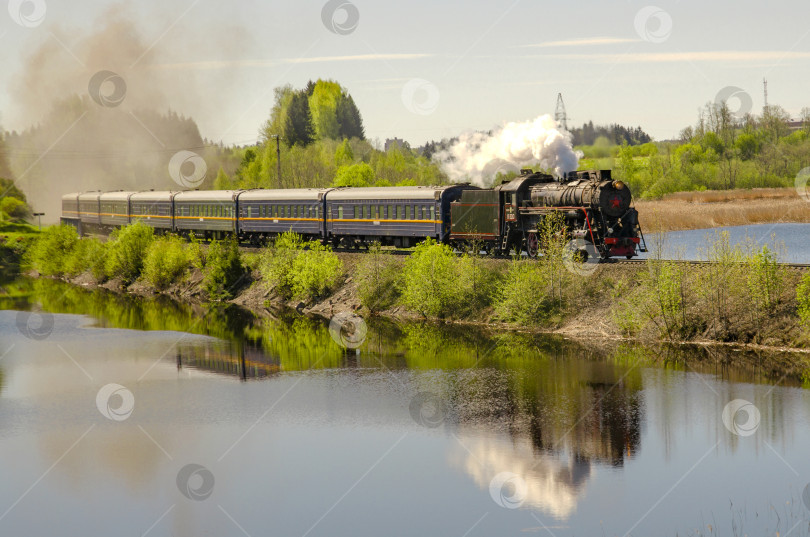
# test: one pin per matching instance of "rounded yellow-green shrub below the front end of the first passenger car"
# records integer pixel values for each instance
(429, 284)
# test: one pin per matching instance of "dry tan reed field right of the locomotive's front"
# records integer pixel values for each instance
(716, 208)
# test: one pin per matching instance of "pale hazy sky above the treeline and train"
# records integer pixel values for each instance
(423, 70)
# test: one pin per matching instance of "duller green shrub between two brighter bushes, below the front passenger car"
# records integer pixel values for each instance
(377, 279)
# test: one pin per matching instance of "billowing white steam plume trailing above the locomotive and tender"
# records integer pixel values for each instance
(477, 157)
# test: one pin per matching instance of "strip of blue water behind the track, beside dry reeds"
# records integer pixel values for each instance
(792, 239)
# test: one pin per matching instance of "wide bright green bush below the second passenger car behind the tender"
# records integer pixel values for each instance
(298, 269)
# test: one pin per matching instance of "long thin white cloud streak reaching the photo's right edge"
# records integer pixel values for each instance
(676, 57)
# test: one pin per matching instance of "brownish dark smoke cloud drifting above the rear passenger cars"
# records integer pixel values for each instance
(79, 135)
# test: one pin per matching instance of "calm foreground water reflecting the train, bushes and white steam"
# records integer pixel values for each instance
(422, 431)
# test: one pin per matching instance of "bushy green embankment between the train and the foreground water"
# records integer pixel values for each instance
(746, 296)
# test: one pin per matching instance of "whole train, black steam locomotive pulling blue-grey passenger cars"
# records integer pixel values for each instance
(597, 213)
